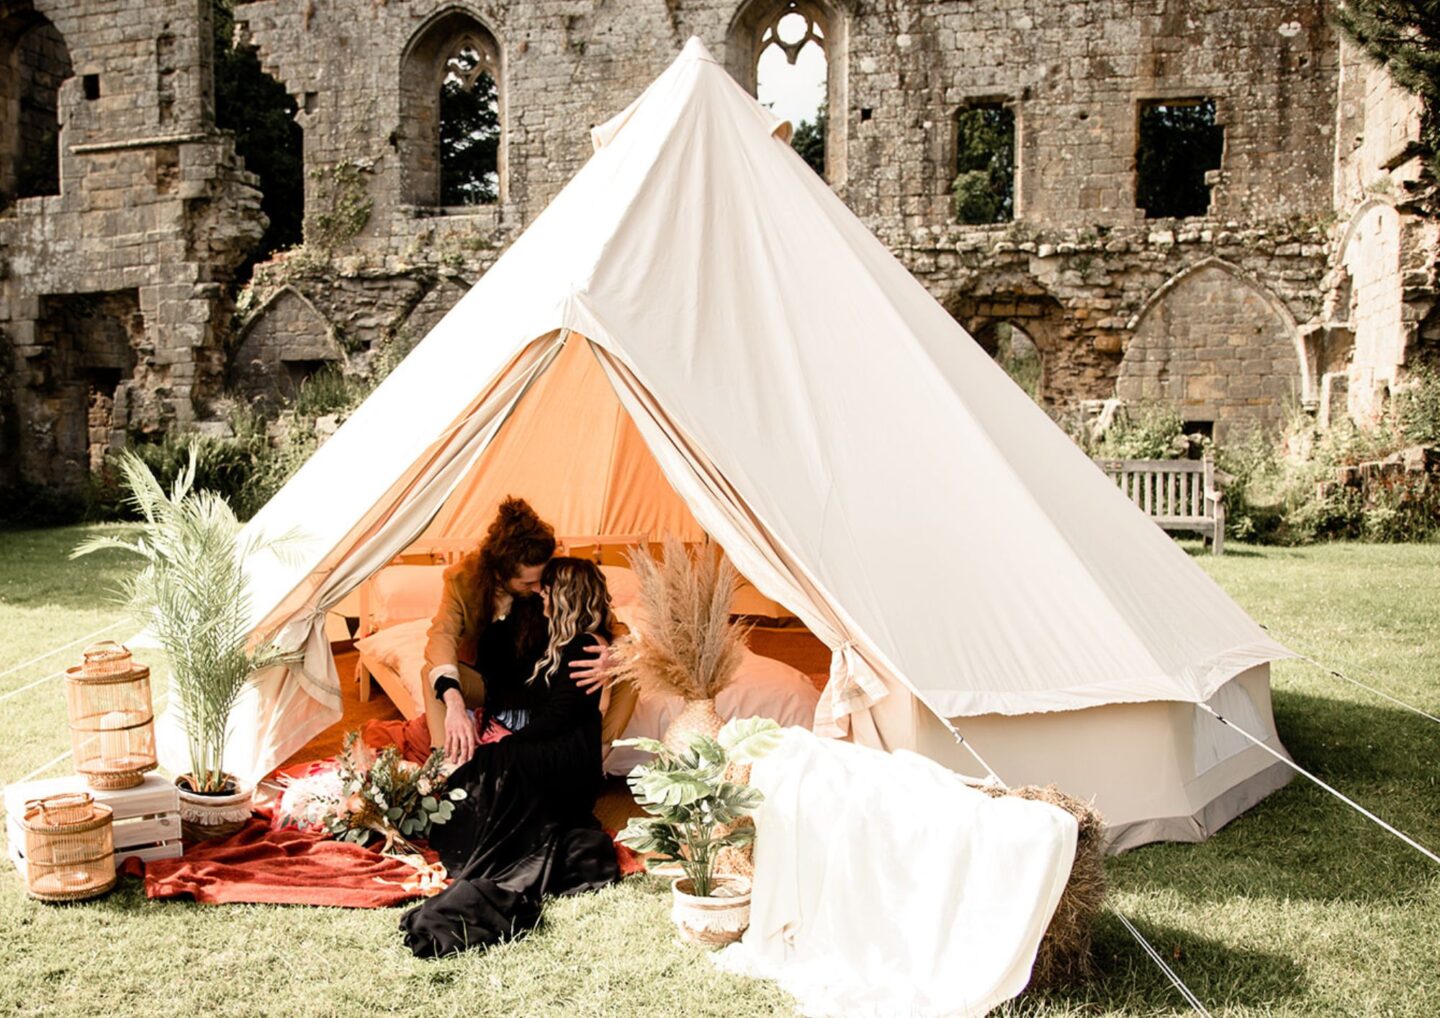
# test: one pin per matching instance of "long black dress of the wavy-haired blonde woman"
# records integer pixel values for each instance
(528, 826)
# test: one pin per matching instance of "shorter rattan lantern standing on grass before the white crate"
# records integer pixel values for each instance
(70, 847)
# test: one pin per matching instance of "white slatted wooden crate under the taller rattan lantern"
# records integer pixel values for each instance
(146, 819)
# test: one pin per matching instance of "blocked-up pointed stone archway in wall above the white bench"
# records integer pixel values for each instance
(1218, 348)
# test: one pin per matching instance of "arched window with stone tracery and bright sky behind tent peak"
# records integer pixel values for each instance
(791, 57)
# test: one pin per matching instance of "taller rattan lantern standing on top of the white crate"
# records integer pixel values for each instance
(113, 731)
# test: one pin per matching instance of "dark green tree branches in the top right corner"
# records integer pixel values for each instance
(1405, 38)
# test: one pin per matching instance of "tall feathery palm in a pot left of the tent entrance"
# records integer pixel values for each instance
(191, 597)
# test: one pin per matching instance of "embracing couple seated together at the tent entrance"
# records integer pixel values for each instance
(516, 662)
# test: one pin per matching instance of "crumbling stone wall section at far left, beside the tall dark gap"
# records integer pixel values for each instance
(152, 215)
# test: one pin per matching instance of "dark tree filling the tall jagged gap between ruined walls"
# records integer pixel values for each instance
(260, 113)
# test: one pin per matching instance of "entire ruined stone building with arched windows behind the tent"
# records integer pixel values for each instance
(1301, 277)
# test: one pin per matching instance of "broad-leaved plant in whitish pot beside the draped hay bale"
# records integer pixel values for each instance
(692, 814)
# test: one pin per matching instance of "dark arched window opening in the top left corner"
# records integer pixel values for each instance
(34, 63)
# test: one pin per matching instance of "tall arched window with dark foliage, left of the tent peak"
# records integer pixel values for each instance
(451, 133)
